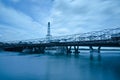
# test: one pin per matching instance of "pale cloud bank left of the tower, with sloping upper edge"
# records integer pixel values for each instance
(17, 25)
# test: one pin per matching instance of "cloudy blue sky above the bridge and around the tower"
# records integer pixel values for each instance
(27, 19)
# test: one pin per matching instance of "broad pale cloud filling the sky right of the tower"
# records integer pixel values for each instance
(83, 16)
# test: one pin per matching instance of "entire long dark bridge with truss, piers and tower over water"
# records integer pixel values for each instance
(102, 38)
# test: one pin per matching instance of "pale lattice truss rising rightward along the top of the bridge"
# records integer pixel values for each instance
(89, 36)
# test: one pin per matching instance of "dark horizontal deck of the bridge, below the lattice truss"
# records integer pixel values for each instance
(102, 43)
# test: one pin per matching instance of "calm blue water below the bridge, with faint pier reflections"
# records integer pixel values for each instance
(17, 66)
